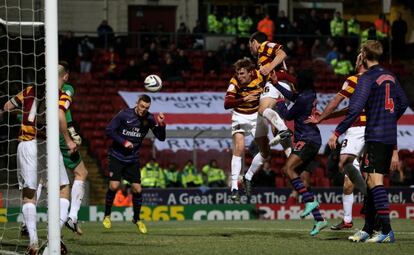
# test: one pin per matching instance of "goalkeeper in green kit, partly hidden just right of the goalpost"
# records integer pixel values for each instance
(73, 161)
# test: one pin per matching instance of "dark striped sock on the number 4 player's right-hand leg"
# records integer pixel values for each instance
(382, 207)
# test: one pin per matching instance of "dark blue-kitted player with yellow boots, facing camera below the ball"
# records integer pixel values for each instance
(127, 129)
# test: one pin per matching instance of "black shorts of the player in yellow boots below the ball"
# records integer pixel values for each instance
(119, 170)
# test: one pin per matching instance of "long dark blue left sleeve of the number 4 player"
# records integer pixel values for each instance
(356, 104)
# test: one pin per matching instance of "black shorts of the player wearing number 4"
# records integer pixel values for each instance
(377, 157)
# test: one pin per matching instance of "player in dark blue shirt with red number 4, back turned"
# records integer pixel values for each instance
(380, 94)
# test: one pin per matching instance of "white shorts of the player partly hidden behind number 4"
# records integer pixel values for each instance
(354, 141)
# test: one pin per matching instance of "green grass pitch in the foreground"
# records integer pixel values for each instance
(225, 237)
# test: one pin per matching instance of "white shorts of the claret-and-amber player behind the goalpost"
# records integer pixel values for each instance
(32, 164)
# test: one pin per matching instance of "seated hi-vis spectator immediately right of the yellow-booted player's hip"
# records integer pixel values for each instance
(152, 175)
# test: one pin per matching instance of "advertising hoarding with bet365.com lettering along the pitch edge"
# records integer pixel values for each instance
(215, 204)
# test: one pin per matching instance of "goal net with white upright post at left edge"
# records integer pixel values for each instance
(22, 65)
